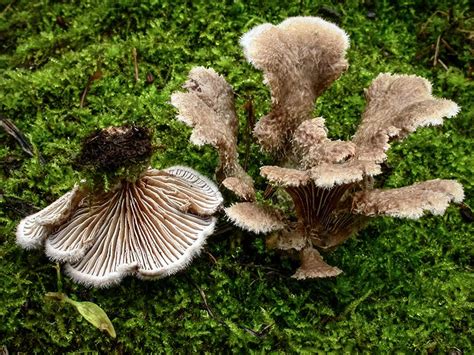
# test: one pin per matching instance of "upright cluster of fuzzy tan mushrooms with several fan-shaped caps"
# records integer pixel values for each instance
(331, 182)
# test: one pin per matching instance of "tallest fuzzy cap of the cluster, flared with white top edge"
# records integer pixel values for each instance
(300, 58)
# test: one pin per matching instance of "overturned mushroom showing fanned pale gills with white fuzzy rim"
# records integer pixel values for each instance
(151, 228)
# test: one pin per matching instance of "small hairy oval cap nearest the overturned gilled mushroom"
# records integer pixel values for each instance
(255, 218)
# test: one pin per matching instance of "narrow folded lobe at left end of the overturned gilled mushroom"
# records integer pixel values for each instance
(32, 230)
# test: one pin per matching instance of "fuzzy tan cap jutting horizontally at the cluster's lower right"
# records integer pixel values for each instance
(409, 201)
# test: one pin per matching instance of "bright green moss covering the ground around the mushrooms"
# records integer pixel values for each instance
(407, 285)
